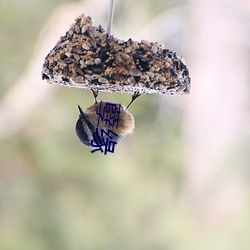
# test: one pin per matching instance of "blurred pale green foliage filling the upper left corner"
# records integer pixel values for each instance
(20, 24)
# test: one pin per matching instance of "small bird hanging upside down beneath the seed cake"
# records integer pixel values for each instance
(91, 127)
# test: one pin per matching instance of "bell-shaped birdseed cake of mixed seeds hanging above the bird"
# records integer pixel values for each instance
(87, 57)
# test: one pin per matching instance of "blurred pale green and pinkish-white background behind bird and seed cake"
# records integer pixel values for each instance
(181, 181)
